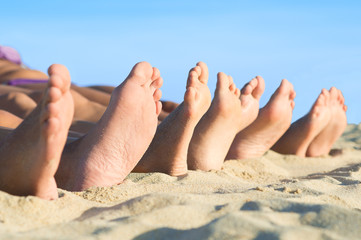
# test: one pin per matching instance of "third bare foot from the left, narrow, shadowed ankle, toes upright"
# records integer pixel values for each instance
(168, 150)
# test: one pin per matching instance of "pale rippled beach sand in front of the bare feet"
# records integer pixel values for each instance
(272, 197)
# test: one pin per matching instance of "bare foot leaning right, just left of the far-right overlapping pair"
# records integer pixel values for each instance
(272, 122)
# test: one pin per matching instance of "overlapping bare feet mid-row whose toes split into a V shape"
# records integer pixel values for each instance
(229, 113)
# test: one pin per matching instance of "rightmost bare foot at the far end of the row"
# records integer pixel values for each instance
(323, 142)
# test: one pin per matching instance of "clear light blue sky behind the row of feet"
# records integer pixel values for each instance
(313, 44)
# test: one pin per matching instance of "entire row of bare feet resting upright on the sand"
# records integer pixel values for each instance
(200, 133)
